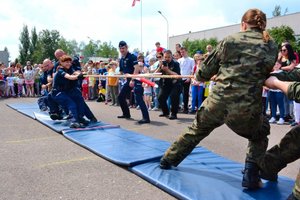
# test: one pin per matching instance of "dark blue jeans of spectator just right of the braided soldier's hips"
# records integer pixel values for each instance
(276, 99)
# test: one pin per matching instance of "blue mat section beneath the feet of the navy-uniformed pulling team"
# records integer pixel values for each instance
(61, 125)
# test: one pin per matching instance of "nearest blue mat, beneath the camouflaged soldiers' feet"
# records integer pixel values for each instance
(205, 175)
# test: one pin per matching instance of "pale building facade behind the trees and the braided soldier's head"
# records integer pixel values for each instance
(221, 32)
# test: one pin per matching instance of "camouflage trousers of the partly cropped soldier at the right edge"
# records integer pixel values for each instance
(287, 151)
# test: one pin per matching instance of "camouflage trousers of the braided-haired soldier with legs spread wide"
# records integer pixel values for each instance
(246, 121)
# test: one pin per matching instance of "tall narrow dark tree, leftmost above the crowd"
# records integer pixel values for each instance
(24, 45)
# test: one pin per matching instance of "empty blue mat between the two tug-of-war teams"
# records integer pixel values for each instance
(119, 146)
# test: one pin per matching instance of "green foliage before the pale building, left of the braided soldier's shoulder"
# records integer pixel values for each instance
(196, 45)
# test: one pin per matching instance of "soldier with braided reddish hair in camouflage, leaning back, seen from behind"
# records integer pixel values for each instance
(241, 63)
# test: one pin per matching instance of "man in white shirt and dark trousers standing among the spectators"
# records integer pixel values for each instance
(186, 68)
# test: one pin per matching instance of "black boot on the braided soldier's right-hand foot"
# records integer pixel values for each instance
(251, 178)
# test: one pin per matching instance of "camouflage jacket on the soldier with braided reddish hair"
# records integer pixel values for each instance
(241, 62)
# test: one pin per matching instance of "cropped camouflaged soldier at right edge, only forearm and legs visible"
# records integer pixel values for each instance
(288, 150)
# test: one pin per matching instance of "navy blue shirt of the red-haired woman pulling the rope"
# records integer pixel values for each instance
(60, 83)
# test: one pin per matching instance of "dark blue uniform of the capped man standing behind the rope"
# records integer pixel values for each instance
(127, 67)
